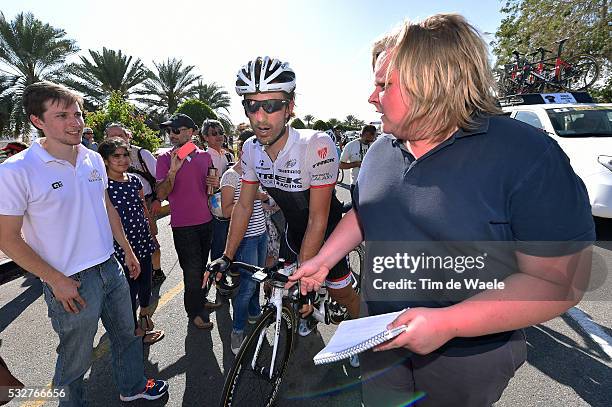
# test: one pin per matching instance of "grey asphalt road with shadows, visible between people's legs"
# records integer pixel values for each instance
(567, 365)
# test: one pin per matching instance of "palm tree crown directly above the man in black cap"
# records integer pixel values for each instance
(169, 87)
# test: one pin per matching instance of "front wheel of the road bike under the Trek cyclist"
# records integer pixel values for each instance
(252, 381)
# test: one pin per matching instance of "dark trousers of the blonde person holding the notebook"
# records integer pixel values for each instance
(398, 377)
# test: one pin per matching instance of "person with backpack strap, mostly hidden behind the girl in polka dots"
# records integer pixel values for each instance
(143, 164)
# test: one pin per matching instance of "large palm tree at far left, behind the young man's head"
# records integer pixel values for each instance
(30, 51)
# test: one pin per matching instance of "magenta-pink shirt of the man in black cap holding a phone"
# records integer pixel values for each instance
(188, 199)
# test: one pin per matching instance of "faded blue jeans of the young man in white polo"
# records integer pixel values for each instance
(107, 294)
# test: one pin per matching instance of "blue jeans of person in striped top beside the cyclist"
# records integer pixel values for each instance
(252, 250)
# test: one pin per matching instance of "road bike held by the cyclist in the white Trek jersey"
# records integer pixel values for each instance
(256, 374)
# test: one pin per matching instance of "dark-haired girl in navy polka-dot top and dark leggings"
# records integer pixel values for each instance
(126, 194)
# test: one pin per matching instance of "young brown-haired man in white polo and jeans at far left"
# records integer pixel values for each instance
(59, 182)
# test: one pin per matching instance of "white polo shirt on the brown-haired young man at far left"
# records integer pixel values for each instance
(63, 207)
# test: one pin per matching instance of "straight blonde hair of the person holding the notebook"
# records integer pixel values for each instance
(443, 66)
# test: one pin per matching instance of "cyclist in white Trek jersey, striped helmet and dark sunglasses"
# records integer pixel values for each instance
(298, 170)
